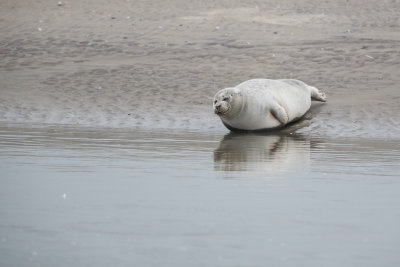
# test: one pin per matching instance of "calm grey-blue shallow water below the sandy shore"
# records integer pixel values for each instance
(101, 197)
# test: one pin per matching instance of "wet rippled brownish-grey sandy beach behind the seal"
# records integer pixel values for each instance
(158, 64)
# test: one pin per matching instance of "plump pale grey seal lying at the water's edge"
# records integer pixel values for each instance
(263, 104)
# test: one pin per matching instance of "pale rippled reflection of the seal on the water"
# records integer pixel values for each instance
(270, 154)
